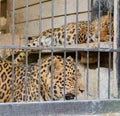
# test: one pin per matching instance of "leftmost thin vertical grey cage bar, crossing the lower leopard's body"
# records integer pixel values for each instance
(13, 27)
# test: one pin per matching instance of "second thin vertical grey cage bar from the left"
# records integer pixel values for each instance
(26, 58)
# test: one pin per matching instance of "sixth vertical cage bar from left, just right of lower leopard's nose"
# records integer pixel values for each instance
(76, 52)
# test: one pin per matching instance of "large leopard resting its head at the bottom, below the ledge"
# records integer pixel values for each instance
(43, 81)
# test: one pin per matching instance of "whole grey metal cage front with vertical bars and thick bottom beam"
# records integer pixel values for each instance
(83, 106)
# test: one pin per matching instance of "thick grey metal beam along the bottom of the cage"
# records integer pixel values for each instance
(61, 107)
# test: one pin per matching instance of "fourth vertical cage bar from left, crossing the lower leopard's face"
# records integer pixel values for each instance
(52, 45)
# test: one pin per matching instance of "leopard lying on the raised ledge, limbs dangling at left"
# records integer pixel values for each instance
(73, 34)
